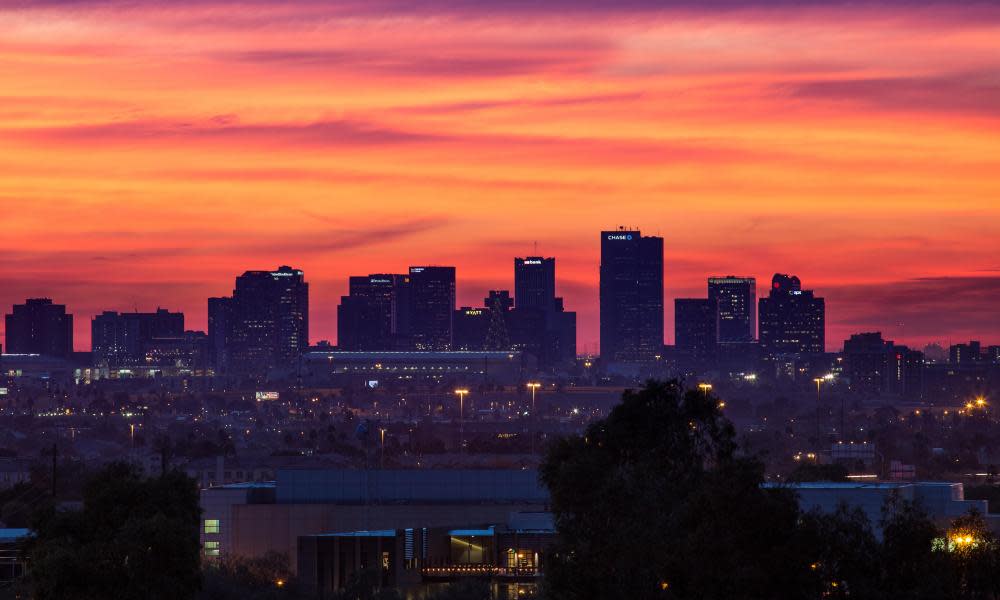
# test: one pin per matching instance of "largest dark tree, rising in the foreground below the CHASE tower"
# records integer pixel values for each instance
(655, 502)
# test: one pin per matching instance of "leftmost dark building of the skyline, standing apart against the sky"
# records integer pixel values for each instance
(39, 327)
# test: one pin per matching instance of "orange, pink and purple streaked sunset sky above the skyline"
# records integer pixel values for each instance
(152, 150)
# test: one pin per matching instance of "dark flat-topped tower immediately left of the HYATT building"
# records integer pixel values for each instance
(432, 307)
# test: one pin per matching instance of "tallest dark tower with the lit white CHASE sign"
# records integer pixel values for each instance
(631, 296)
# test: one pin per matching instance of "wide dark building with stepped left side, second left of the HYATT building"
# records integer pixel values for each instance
(375, 314)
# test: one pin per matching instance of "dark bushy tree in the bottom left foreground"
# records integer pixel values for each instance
(134, 538)
